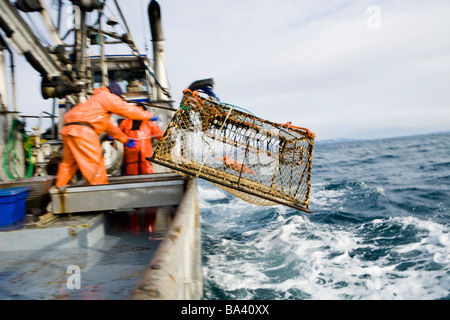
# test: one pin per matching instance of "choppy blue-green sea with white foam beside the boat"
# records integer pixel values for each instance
(380, 228)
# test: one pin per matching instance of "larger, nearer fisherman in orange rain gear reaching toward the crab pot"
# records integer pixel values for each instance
(82, 125)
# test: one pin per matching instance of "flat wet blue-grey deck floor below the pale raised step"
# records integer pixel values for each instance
(108, 268)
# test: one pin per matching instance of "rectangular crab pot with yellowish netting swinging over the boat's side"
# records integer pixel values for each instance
(259, 161)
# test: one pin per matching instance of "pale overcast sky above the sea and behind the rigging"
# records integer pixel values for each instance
(342, 68)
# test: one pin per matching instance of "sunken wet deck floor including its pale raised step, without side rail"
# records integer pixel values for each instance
(78, 257)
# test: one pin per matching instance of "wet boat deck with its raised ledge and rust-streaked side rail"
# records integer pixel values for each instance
(132, 239)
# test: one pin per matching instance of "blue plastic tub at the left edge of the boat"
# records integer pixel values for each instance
(12, 205)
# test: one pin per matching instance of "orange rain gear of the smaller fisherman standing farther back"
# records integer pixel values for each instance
(134, 158)
